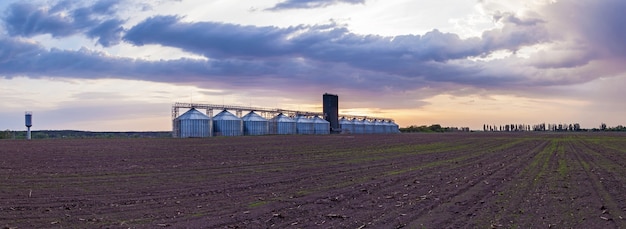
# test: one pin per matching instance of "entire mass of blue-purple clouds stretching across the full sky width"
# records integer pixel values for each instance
(326, 56)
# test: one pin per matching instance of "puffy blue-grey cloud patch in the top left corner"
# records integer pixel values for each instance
(65, 18)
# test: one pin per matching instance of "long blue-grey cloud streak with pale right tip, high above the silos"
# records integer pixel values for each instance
(412, 56)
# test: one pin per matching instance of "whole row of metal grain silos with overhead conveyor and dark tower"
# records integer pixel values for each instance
(263, 121)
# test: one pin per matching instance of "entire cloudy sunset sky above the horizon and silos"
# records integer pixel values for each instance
(119, 65)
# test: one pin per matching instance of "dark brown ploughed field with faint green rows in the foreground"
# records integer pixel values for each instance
(484, 180)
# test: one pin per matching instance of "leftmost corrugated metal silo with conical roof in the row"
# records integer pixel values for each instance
(193, 124)
